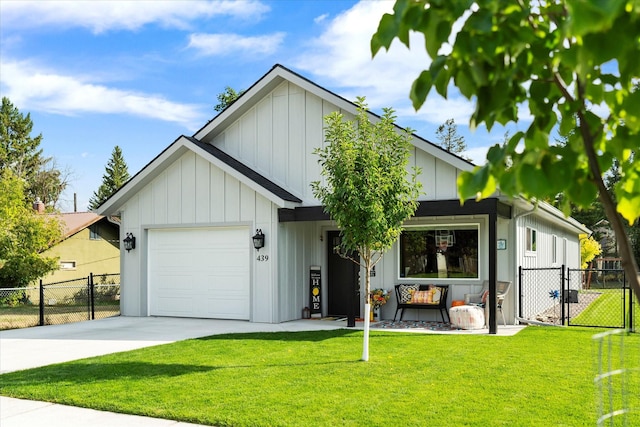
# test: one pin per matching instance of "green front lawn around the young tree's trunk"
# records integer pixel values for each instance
(540, 377)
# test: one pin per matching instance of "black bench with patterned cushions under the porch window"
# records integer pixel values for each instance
(422, 297)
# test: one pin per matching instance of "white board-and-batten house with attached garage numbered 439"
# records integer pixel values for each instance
(194, 209)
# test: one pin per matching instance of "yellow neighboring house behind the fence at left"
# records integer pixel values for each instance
(90, 245)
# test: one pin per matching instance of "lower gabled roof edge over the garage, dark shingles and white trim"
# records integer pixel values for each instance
(228, 164)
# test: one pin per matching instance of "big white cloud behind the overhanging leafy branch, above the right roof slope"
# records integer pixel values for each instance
(341, 58)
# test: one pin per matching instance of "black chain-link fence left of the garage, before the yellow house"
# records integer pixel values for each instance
(93, 297)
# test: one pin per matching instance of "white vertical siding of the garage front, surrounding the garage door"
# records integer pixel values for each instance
(192, 192)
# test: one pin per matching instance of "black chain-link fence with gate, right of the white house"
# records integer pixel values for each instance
(573, 297)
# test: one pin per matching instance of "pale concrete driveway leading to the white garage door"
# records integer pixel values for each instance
(45, 345)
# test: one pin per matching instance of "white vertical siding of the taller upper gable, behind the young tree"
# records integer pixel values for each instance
(277, 138)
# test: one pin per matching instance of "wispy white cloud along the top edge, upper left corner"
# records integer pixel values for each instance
(102, 15)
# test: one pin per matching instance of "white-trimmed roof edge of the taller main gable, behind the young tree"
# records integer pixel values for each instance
(279, 74)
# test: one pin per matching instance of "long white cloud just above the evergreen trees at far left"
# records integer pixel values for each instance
(44, 90)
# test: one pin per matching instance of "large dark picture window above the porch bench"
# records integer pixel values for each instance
(444, 251)
